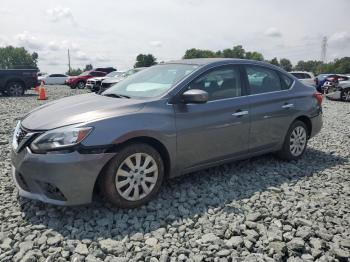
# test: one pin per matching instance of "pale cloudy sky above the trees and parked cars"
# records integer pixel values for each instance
(114, 32)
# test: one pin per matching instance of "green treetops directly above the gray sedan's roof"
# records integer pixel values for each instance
(236, 52)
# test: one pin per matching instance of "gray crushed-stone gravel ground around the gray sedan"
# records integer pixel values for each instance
(260, 209)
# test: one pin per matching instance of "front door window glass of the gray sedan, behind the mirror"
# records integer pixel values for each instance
(220, 83)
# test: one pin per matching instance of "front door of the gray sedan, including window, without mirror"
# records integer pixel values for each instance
(219, 128)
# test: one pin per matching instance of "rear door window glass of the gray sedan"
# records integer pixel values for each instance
(263, 80)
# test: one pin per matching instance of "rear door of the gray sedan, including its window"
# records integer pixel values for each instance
(272, 106)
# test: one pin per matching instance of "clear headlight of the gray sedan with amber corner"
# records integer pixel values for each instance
(59, 138)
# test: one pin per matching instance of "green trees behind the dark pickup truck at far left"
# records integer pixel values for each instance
(17, 58)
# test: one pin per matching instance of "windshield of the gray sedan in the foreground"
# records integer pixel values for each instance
(151, 82)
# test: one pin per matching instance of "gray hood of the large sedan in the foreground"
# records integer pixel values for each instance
(78, 109)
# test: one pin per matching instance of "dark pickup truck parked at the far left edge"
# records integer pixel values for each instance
(14, 82)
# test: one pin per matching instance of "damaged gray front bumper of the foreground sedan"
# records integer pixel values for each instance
(60, 179)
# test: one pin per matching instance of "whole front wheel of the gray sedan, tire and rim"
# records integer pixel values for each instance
(119, 177)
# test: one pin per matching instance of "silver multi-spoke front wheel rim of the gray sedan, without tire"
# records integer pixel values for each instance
(136, 176)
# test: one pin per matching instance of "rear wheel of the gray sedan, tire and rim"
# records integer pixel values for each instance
(298, 133)
